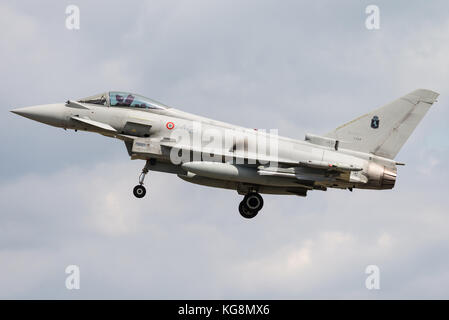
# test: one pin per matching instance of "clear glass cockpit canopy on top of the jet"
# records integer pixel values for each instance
(123, 99)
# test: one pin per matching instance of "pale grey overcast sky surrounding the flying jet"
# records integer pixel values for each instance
(296, 66)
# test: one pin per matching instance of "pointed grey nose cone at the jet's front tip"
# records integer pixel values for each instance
(52, 114)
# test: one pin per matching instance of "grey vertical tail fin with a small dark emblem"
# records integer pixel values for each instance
(384, 131)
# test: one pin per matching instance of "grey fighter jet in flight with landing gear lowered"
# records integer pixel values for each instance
(358, 154)
